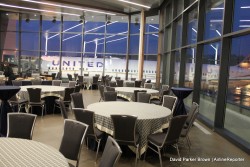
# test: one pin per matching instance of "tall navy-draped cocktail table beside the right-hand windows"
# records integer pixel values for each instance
(181, 93)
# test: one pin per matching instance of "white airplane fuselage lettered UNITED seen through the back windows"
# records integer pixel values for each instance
(113, 66)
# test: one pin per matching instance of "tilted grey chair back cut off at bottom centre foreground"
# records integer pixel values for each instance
(111, 153)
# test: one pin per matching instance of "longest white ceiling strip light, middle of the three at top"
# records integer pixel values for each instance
(69, 7)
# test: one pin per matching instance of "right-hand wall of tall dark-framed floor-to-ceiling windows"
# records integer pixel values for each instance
(211, 38)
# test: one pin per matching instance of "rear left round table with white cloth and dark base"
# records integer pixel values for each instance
(49, 93)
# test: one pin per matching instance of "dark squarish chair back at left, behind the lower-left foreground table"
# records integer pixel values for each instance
(21, 125)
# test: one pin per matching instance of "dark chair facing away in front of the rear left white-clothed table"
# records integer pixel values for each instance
(35, 99)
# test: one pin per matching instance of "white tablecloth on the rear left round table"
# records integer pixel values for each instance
(47, 90)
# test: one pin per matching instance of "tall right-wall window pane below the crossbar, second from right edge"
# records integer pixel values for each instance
(209, 79)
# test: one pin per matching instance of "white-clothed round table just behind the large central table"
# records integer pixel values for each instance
(128, 92)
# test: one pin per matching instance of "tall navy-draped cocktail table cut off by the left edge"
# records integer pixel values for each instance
(6, 92)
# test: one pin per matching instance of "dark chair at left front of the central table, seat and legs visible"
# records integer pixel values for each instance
(88, 117)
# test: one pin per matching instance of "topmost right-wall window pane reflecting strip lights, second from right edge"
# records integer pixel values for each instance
(214, 18)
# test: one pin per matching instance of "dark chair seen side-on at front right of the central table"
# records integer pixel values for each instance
(171, 137)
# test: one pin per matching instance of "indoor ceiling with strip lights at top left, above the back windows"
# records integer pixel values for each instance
(112, 6)
